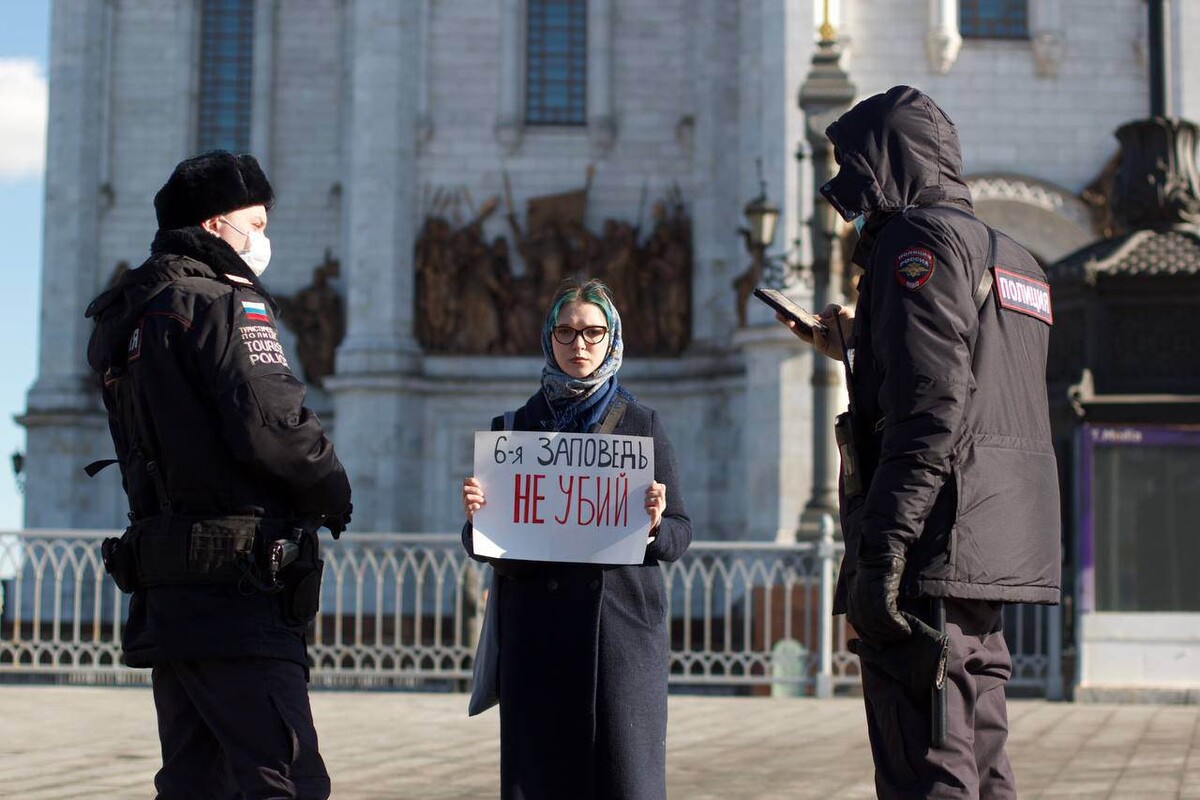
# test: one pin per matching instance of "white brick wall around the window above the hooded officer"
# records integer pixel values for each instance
(1010, 119)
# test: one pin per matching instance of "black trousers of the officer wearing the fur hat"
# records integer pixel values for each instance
(237, 730)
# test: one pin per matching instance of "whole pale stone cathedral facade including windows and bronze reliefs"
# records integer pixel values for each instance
(439, 163)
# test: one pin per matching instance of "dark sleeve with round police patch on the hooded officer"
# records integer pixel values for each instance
(923, 322)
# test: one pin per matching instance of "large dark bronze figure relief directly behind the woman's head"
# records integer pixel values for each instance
(471, 300)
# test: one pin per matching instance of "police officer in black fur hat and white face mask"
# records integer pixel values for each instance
(229, 477)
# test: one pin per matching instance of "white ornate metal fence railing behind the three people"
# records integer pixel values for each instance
(405, 610)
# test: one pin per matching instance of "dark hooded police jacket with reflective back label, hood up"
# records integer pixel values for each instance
(962, 467)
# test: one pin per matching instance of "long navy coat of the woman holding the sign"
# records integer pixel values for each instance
(585, 655)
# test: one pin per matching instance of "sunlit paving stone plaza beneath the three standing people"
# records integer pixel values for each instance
(63, 743)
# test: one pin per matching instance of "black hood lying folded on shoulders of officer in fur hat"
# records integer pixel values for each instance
(178, 254)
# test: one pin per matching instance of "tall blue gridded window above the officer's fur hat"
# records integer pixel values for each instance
(227, 50)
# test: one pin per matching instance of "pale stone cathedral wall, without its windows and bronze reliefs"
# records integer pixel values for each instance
(701, 89)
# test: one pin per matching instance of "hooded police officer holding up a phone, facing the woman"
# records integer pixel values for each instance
(952, 509)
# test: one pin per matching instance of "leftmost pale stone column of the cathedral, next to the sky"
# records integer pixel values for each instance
(63, 418)
